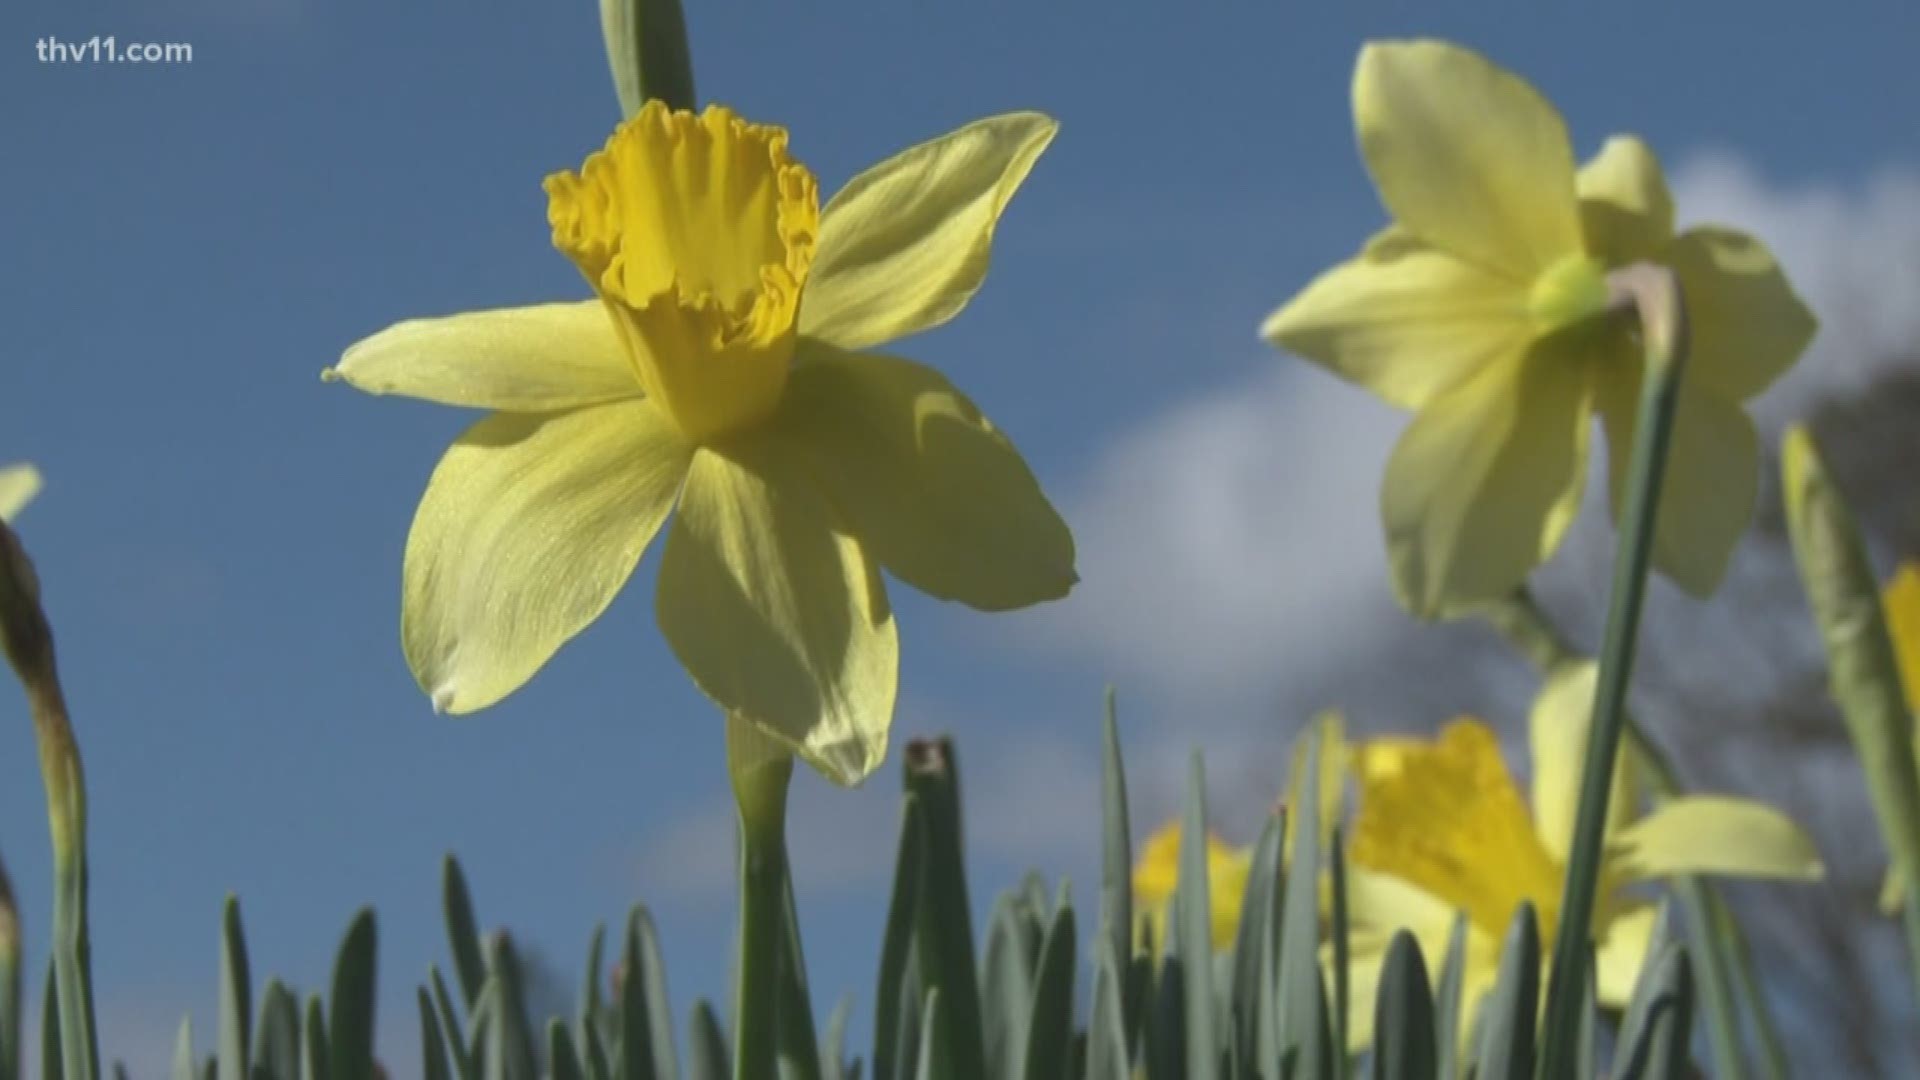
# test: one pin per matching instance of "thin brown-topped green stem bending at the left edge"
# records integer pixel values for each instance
(30, 649)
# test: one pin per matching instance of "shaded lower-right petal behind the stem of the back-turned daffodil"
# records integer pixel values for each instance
(1714, 478)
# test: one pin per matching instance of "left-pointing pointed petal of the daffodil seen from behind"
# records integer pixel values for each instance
(1404, 320)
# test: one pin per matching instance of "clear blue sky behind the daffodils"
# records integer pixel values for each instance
(222, 533)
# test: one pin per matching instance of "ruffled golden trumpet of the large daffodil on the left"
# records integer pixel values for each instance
(698, 233)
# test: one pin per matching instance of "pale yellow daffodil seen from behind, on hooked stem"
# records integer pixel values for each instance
(1485, 308)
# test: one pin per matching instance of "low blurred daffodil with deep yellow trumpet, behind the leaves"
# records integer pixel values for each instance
(1443, 827)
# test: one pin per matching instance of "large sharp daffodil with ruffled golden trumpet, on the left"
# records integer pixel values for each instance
(721, 372)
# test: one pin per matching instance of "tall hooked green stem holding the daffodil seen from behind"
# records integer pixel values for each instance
(1656, 295)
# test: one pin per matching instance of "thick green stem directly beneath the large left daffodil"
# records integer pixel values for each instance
(761, 772)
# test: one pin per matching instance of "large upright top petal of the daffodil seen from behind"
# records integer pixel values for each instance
(1468, 157)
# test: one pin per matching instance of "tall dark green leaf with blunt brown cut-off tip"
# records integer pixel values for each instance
(946, 925)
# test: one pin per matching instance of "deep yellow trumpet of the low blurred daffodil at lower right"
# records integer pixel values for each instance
(1449, 820)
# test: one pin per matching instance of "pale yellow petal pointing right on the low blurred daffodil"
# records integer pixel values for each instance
(1714, 835)
